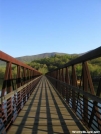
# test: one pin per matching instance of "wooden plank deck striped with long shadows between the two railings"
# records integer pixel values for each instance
(45, 113)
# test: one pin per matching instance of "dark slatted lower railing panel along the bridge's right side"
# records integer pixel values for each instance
(85, 105)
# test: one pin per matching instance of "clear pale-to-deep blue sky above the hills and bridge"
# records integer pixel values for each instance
(30, 27)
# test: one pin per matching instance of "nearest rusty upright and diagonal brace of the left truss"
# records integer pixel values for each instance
(7, 87)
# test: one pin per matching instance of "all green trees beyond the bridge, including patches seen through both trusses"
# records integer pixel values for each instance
(45, 65)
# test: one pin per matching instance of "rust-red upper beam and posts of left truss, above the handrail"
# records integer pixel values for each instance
(21, 77)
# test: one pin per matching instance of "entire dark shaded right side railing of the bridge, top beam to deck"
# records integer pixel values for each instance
(81, 96)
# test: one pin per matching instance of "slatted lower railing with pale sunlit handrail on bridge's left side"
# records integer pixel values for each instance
(12, 103)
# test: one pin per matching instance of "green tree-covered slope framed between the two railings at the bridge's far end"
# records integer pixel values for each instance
(48, 64)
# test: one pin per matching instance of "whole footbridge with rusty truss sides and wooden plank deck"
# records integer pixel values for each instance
(59, 102)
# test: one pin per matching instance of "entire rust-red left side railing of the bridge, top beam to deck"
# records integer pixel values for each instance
(15, 91)
